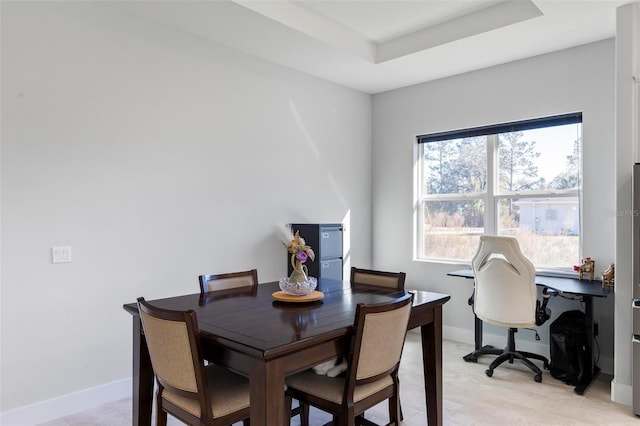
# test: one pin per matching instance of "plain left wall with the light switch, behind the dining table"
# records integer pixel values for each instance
(157, 157)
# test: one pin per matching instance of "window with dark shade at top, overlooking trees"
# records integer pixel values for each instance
(521, 179)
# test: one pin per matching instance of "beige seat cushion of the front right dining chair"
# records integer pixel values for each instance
(332, 388)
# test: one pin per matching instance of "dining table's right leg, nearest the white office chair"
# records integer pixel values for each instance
(432, 366)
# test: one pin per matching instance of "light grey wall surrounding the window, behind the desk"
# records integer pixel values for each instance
(578, 79)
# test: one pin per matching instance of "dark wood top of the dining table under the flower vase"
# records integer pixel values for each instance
(252, 322)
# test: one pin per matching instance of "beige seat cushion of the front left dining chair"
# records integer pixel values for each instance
(229, 392)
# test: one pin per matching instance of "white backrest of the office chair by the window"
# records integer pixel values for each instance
(505, 291)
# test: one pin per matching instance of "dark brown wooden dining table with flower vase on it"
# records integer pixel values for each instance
(250, 332)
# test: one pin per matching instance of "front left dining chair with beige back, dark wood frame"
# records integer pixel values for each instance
(187, 389)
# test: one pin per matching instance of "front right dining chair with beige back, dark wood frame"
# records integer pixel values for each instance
(372, 376)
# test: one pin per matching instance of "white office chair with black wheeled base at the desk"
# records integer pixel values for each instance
(505, 294)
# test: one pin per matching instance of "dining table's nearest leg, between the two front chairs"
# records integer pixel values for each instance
(267, 393)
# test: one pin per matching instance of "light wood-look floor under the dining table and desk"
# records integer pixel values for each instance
(510, 397)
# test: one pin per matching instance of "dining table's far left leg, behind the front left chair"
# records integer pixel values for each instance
(142, 377)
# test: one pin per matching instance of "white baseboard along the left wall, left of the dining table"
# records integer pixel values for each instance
(65, 405)
